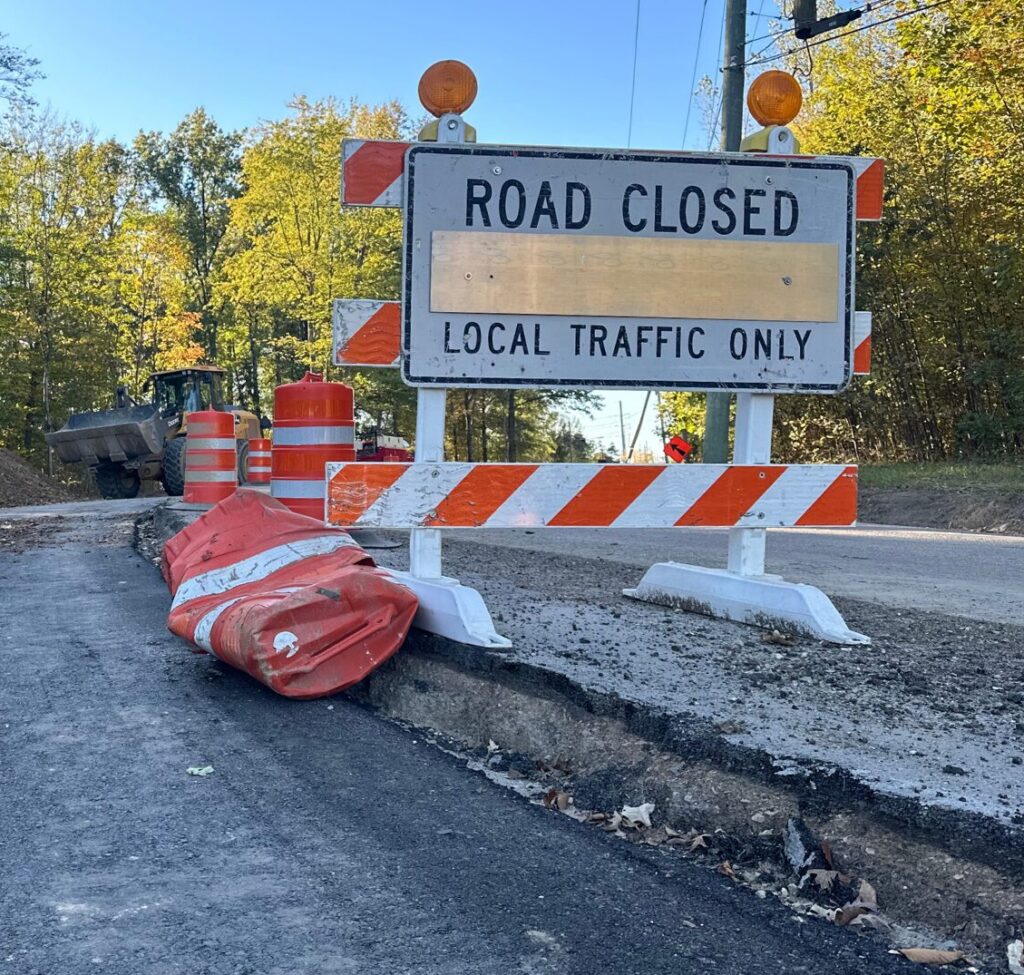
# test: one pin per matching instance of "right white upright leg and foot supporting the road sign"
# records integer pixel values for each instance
(743, 592)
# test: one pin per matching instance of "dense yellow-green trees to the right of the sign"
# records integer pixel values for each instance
(941, 97)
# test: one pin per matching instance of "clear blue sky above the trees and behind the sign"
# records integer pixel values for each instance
(550, 73)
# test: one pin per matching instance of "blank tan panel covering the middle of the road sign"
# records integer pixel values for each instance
(634, 278)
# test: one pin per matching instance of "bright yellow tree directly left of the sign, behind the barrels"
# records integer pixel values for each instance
(294, 250)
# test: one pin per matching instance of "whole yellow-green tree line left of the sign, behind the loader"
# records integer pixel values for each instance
(211, 246)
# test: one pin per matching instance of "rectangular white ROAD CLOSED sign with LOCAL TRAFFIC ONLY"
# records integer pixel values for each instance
(560, 268)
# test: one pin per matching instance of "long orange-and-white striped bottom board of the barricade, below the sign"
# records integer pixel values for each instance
(621, 496)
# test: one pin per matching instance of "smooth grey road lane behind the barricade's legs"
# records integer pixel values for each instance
(976, 576)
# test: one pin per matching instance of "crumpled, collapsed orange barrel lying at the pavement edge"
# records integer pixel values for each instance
(294, 604)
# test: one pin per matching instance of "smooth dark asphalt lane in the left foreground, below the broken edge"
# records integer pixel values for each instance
(326, 840)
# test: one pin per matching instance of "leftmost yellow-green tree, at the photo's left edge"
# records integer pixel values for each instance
(64, 198)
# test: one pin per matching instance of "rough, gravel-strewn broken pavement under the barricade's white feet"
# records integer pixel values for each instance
(933, 712)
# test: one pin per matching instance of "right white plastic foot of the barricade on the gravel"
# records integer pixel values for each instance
(766, 602)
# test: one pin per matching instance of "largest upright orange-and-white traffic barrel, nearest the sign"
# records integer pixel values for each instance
(314, 425)
